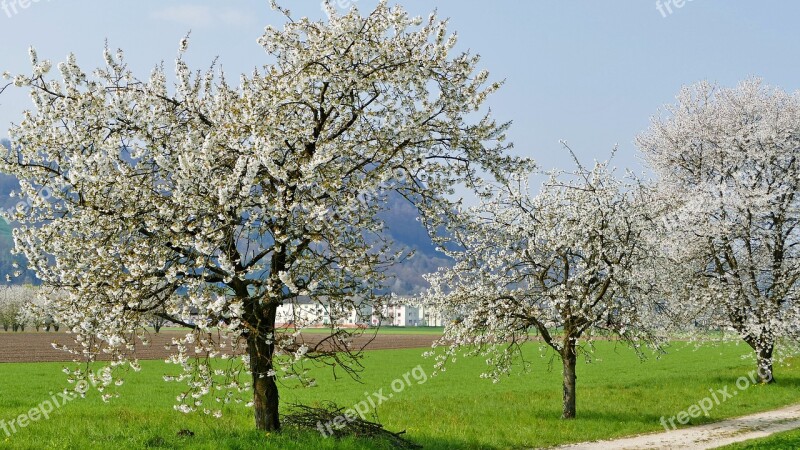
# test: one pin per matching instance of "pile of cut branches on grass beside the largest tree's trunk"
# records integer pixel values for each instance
(331, 420)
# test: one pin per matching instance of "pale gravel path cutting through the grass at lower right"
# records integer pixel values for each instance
(707, 436)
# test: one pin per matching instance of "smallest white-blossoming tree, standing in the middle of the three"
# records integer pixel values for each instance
(564, 264)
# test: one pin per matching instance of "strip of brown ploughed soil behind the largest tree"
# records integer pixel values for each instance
(38, 347)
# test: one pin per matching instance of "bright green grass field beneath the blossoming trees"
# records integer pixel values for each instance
(617, 396)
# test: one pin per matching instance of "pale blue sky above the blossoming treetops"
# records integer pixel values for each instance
(590, 73)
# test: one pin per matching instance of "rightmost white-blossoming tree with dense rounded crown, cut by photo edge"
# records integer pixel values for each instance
(729, 164)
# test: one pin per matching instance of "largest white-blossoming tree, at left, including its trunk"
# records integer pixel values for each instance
(212, 205)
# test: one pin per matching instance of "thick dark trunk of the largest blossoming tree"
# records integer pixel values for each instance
(265, 390)
